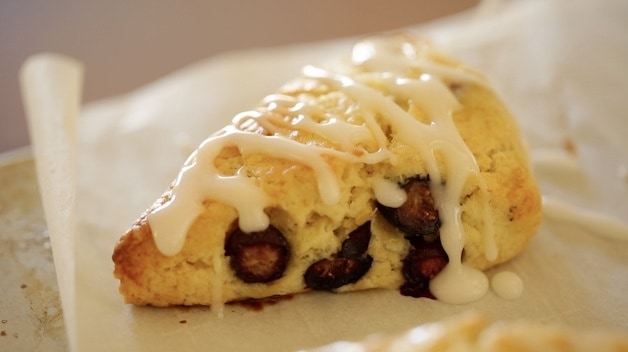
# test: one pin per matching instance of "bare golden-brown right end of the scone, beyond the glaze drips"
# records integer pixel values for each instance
(493, 137)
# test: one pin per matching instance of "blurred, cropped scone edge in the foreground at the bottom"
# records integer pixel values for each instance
(473, 332)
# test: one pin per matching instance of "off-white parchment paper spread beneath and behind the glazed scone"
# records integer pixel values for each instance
(558, 64)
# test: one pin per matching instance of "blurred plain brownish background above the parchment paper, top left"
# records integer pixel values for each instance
(126, 44)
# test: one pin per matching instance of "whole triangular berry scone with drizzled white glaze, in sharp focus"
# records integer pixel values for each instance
(397, 167)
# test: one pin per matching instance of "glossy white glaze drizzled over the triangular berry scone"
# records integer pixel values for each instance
(389, 62)
